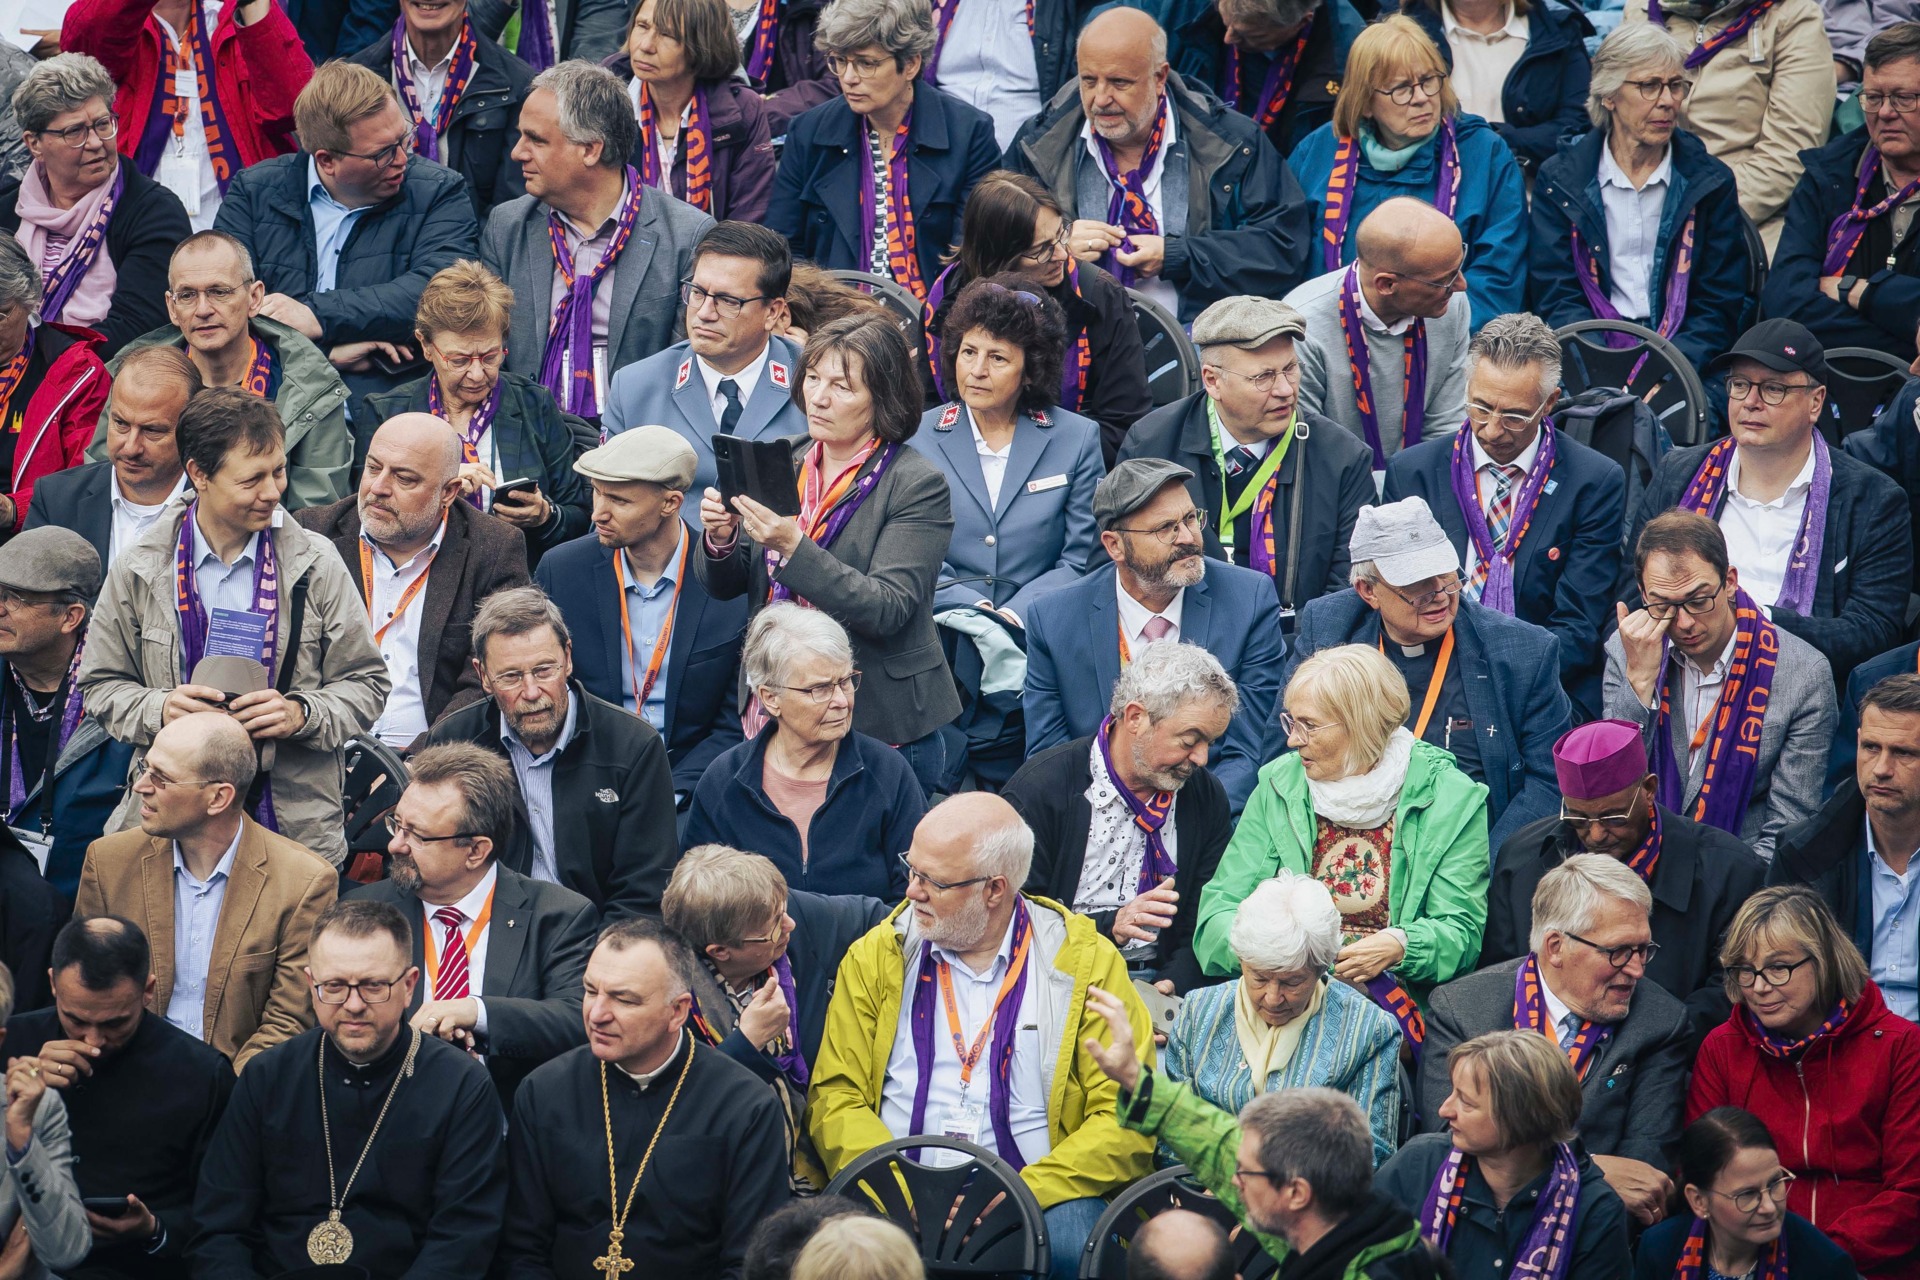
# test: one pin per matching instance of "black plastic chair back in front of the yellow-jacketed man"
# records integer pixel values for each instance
(1009, 1237)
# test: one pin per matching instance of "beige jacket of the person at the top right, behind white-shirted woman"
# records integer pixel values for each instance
(1762, 101)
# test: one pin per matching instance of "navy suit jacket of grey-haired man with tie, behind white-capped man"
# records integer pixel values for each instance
(1570, 559)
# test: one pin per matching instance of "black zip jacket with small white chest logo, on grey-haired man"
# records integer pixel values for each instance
(613, 805)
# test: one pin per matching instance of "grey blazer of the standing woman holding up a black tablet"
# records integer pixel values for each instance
(876, 582)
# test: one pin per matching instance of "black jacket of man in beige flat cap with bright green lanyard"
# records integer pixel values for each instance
(1328, 469)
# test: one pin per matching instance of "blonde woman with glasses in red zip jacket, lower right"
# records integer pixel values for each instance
(1813, 1051)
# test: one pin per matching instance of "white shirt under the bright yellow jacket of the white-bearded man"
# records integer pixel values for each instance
(974, 1001)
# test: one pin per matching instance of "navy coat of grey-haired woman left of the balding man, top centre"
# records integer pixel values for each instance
(817, 193)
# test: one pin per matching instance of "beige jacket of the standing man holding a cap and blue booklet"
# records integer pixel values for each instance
(133, 659)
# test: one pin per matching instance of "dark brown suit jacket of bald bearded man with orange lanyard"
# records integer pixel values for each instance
(479, 556)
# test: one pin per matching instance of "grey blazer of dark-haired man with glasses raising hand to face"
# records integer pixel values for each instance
(1796, 738)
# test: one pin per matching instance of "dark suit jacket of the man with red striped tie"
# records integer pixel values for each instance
(539, 943)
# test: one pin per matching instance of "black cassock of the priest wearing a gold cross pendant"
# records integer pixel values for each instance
(719, 1168)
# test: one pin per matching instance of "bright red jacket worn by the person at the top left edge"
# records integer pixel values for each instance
(258, 70)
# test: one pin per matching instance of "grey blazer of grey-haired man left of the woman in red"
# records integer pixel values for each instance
(1635, 1085)
